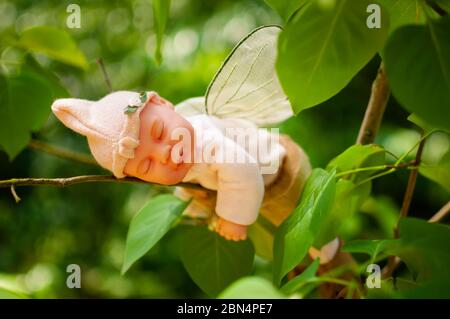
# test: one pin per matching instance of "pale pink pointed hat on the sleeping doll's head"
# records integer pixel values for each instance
(111, 124)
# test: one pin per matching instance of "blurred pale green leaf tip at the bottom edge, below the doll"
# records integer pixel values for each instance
(251, 288)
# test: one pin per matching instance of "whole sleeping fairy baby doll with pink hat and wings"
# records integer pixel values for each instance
(217, 141)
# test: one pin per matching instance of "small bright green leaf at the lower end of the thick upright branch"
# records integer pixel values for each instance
(358, 156)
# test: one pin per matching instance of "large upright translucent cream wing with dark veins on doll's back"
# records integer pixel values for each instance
(247, 86)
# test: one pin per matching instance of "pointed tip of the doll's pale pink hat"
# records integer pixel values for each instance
(74, 113)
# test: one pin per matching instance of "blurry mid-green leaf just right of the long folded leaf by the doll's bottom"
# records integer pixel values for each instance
(348, 200)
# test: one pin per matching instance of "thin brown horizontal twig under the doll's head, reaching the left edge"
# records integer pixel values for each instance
(68, 181)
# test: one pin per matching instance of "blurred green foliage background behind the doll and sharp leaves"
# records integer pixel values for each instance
(87, 224)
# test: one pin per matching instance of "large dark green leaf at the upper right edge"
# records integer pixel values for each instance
(420, 79)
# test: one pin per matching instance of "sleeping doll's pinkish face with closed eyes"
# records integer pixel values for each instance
(159, 157)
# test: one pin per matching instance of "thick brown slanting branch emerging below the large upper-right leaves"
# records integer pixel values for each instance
(375, 109)
